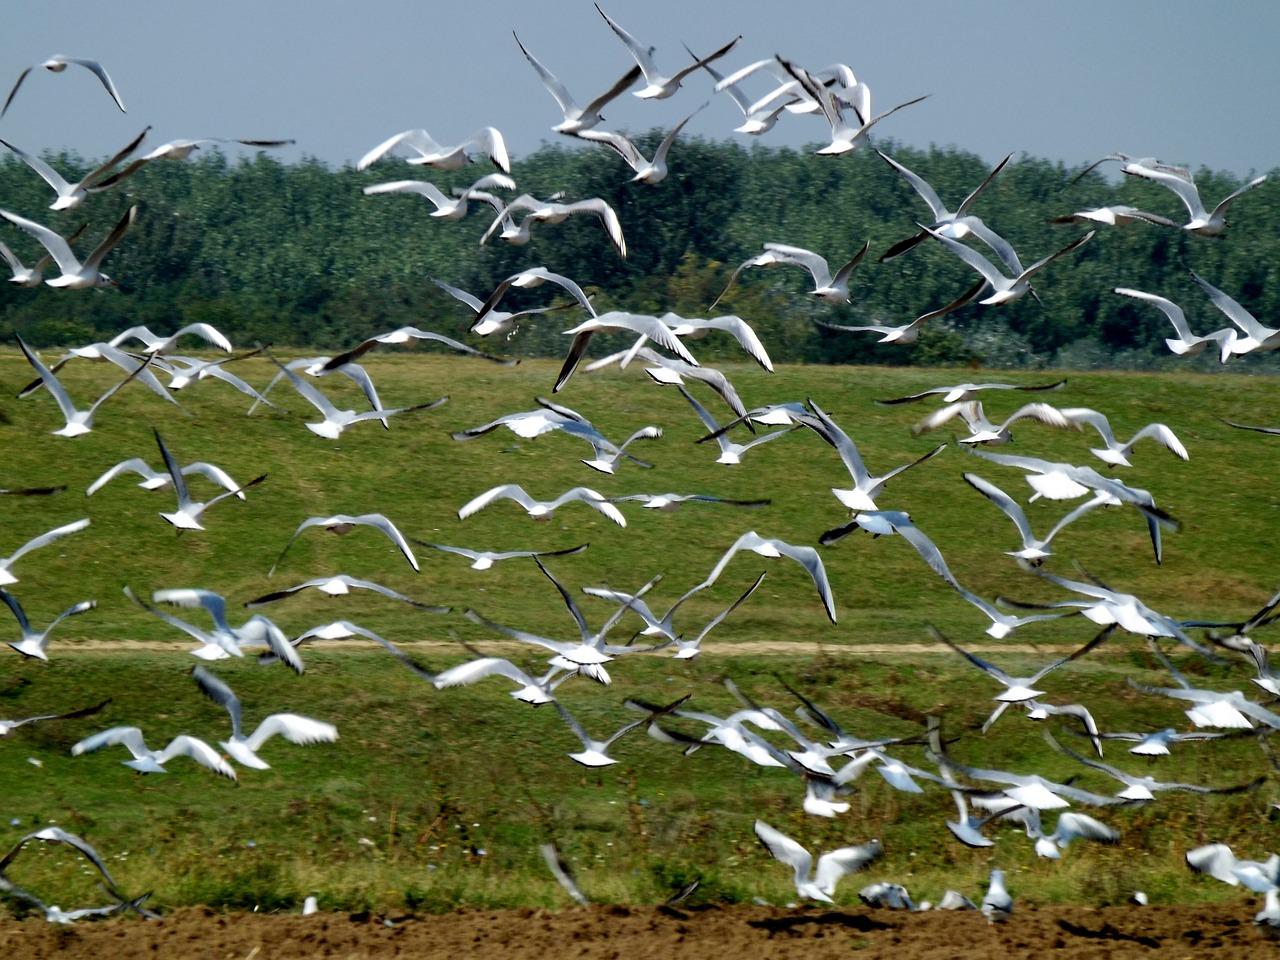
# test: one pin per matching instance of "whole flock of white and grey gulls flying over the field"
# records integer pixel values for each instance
(824, 758)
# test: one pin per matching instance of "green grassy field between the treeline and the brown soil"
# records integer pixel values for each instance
(431, 779)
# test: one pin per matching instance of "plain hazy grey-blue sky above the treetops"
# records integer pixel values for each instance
(1188, 83)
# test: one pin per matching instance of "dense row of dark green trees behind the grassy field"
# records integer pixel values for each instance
(298, 255)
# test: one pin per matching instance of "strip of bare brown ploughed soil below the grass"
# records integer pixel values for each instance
(659, 934)
